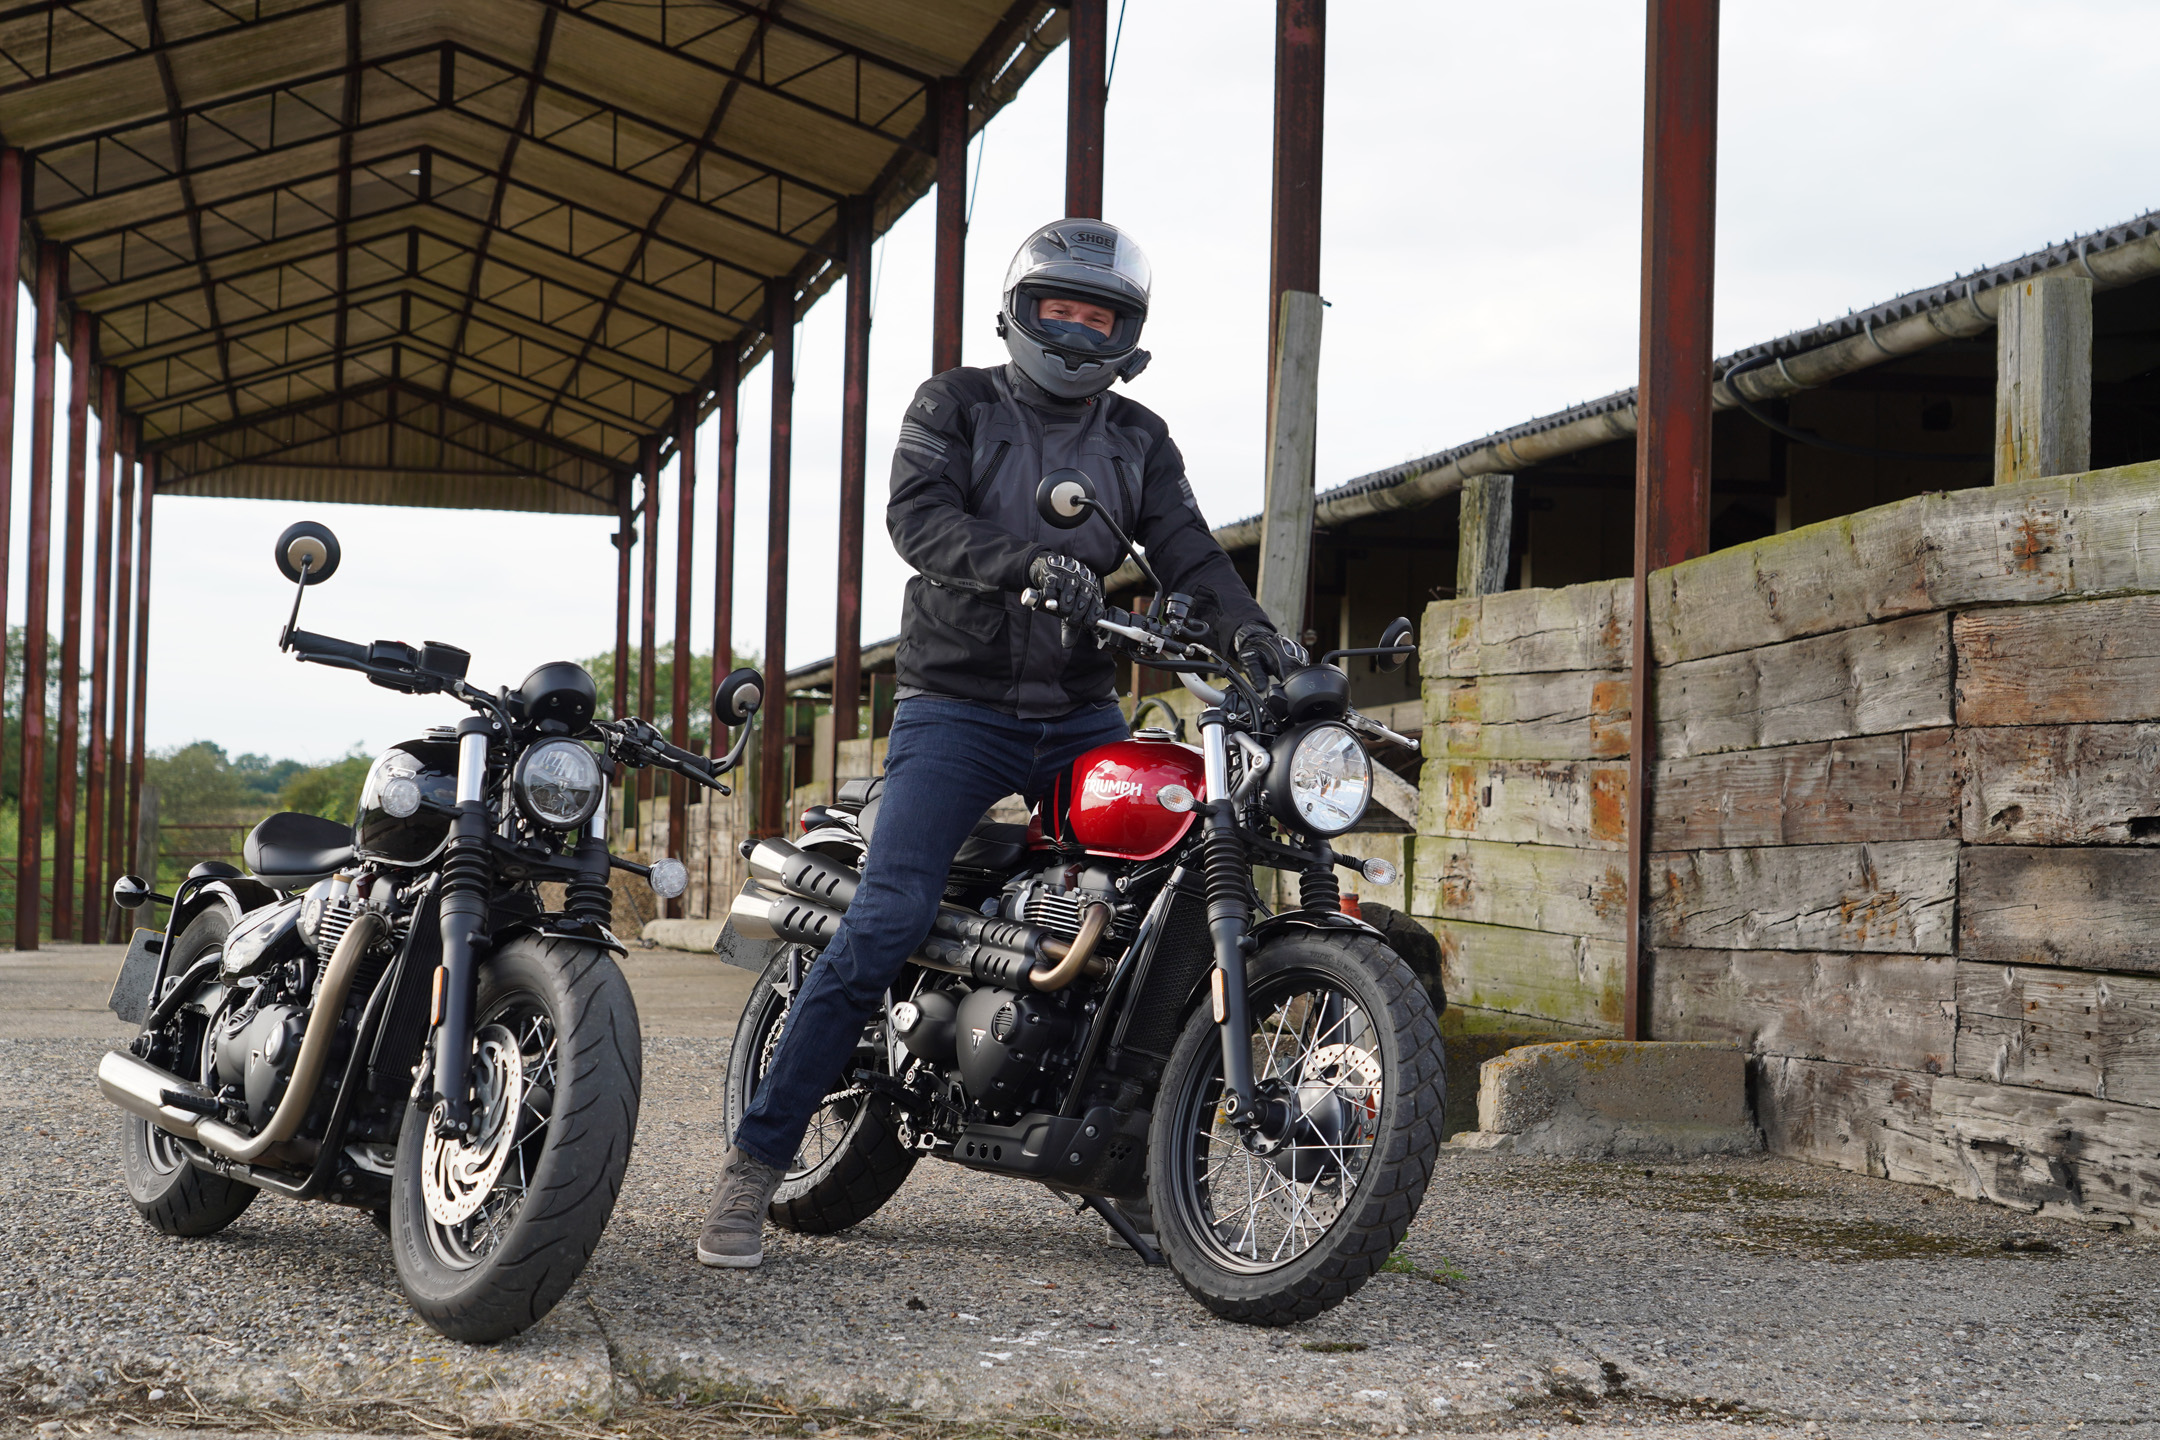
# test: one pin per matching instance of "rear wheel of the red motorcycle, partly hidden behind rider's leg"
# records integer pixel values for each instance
(852, 1158)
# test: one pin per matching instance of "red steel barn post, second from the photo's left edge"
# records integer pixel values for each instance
(31, 837)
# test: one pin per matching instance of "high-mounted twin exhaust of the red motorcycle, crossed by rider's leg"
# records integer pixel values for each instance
(962, 942)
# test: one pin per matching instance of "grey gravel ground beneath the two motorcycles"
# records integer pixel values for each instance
(1584, 1299)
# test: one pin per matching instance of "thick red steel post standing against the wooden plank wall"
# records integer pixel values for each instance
(1673, 398)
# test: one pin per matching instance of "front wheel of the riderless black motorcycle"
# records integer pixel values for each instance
(491, 1232)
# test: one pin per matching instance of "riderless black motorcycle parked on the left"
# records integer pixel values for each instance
(388, 1016)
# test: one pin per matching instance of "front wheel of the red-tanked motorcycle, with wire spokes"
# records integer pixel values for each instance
(1347, 1046)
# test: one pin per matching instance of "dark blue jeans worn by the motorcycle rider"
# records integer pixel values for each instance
(947, 763)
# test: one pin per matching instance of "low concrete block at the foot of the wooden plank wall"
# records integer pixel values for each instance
(1615, 1098)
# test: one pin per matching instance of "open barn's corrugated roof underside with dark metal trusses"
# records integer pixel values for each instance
(463, 252)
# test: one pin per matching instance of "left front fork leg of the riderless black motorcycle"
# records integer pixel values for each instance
(468, 886)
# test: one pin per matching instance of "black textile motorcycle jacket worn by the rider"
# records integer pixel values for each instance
(962, 513)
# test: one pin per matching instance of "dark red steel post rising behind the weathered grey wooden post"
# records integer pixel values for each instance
(1301, 31)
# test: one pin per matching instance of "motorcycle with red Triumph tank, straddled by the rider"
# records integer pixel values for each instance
(1105, 1007)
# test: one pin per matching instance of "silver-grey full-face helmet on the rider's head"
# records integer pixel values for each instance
(1077, 260)
